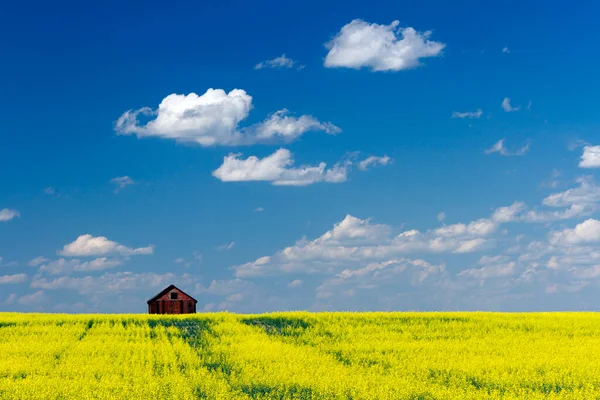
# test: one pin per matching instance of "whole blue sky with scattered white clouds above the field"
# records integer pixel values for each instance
(306, 156)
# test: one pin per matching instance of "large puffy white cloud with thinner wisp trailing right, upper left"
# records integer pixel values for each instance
(213, 118)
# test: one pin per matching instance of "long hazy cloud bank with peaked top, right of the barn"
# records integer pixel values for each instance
(358, 241)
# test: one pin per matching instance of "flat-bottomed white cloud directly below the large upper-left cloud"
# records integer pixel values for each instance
(277, 169)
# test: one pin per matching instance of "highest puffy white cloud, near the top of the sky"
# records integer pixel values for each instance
(380, 47)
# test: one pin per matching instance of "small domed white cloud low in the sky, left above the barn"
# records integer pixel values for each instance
(88, 246)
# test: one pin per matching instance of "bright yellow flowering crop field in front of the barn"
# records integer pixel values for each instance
(301, 355)
